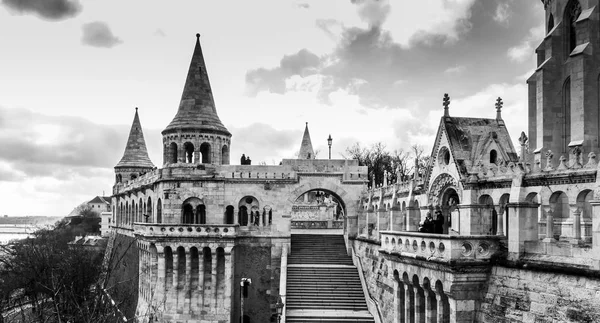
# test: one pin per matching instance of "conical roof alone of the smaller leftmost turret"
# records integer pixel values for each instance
(136, 154)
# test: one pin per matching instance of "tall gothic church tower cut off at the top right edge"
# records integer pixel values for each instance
(564, 90)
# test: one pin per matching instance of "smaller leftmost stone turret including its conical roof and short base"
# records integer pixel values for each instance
(135, 159)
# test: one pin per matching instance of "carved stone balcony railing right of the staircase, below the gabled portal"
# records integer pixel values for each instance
(440, 247)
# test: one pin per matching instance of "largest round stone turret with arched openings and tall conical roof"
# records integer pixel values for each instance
(196, 134)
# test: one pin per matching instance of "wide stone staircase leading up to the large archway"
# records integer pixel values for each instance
(323, 285)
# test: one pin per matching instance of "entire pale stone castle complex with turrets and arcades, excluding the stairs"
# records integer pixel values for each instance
(517, 235)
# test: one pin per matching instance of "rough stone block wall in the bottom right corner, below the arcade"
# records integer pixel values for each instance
(518, 295)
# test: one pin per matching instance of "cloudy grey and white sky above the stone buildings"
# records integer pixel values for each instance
(72, 73)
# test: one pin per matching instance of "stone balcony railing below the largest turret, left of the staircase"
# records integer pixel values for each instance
(186, 230)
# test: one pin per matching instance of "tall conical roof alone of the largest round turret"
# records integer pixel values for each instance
(197, 108)
